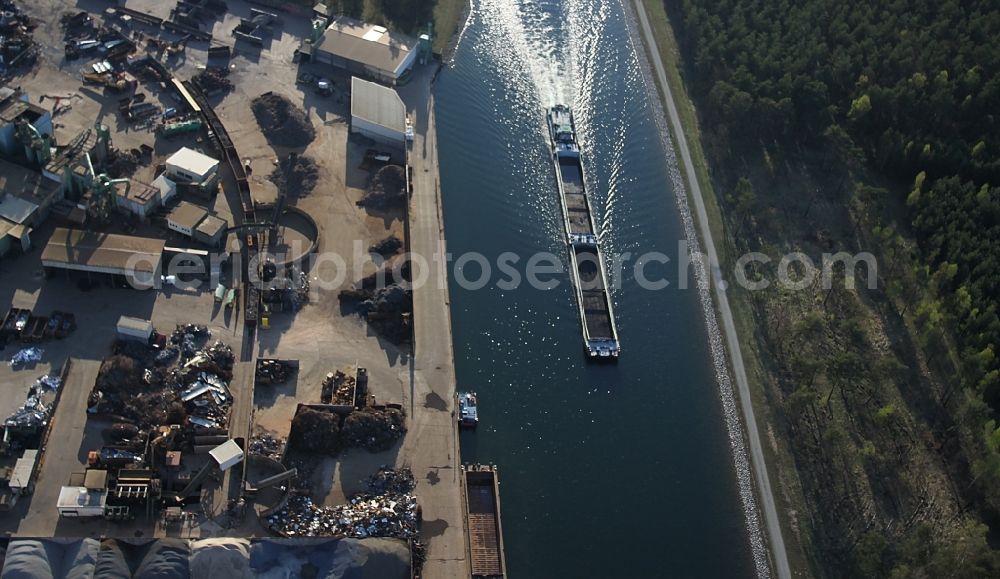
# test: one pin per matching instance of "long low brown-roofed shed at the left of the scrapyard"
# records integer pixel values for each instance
(135, 260)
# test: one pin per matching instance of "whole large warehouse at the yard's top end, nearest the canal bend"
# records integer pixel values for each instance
(366, 50)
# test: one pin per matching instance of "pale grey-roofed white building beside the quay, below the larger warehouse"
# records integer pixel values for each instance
(378, 113)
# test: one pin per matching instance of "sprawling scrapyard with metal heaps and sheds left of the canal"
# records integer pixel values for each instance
(177, 366)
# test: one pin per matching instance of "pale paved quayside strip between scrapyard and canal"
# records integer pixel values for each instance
(431, 447)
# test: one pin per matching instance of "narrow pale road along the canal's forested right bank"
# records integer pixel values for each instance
(777, 543)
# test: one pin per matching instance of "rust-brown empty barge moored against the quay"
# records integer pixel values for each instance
(482, 496)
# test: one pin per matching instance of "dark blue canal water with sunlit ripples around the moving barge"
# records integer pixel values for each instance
(617, 470)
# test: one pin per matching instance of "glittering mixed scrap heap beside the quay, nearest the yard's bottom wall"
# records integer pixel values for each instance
(388, 509)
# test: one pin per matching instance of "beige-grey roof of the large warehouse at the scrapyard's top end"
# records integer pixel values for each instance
(345, 37)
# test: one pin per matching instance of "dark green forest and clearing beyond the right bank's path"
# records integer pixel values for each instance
(869, 126)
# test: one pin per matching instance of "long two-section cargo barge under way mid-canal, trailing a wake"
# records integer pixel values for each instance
(600, 335)
